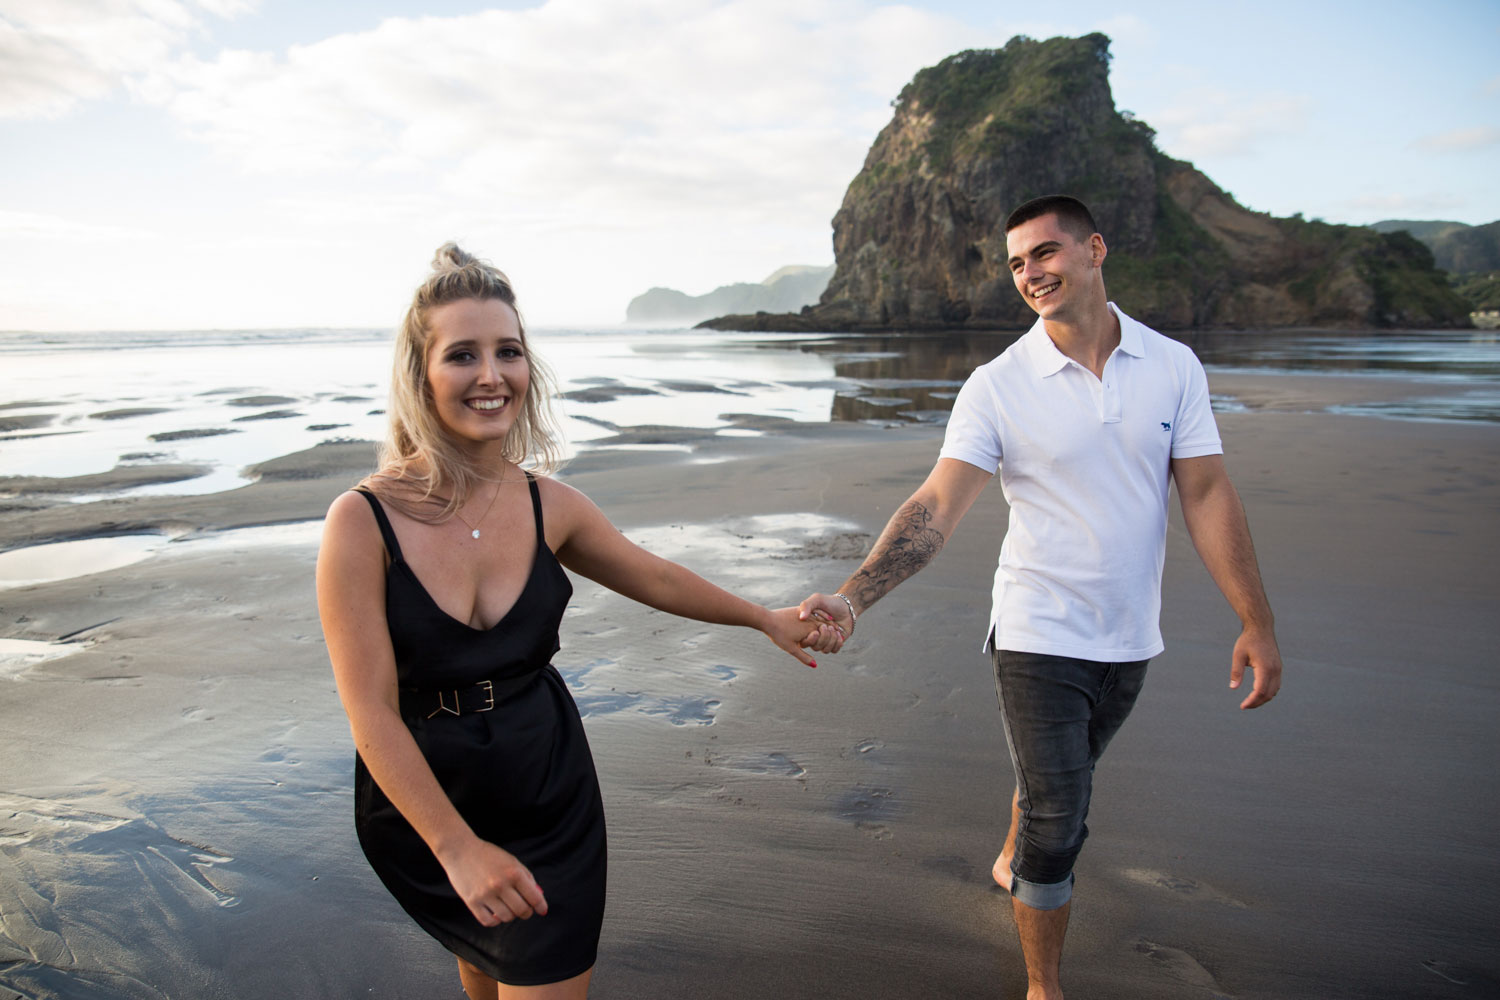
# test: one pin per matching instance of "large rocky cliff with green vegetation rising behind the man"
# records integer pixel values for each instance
(920, 236)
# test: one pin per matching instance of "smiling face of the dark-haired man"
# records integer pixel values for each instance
(1054, 269)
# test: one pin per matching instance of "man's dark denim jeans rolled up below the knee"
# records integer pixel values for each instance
(1060, 716)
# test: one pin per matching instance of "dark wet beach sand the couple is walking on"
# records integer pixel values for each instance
(176, 810)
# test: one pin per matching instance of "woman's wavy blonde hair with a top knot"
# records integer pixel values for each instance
(424, 473)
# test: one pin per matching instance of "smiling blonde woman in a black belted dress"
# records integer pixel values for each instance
(442, 587)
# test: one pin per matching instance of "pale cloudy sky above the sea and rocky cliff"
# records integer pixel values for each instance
(281, 164)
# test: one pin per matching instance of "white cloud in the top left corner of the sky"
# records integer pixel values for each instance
(58, 53)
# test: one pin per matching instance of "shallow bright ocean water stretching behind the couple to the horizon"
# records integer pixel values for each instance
(79, 404)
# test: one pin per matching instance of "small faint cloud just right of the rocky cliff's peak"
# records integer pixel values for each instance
(1217, 124)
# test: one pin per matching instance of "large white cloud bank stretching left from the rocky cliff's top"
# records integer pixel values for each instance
(614, 112)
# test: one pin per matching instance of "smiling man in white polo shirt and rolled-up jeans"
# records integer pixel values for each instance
(1085, 418)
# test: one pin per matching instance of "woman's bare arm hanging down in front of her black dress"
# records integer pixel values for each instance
(352, 602)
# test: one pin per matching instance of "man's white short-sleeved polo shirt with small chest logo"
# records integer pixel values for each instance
(1084, 464)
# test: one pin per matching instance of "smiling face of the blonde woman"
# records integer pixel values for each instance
(478, 370)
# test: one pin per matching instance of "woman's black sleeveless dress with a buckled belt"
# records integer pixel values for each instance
(520, 773)
